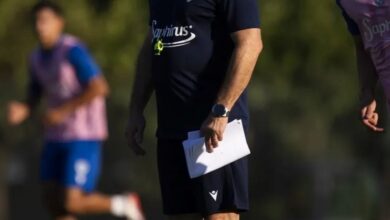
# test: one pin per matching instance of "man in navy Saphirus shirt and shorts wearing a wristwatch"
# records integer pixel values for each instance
(198, 59)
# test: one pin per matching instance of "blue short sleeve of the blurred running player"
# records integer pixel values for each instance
(85, 66)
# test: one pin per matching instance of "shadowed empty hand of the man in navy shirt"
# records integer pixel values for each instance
(135, 133)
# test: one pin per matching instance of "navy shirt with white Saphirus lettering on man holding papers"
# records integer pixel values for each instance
(192, 50)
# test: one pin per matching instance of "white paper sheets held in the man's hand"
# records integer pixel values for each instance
(233, 147)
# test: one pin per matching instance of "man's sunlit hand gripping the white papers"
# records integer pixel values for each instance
(213, 129)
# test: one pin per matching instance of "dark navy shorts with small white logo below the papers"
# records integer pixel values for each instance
(224, 190)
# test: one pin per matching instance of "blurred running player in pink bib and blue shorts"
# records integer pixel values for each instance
(62, 70)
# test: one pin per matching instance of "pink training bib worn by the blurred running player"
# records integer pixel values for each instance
(59, 82)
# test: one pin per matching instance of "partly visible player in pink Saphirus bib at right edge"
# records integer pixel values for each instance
(369, 22)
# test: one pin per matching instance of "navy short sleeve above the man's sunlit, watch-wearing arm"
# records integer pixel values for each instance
(240, 14)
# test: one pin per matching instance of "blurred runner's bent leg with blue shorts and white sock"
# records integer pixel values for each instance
(82, 170)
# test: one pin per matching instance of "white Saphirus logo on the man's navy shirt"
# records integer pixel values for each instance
(171, 36)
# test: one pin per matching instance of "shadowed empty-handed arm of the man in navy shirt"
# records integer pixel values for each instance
(142, 91)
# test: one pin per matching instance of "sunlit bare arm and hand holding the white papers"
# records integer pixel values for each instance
(248, 46)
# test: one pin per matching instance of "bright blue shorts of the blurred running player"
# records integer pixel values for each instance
(72, 164)
